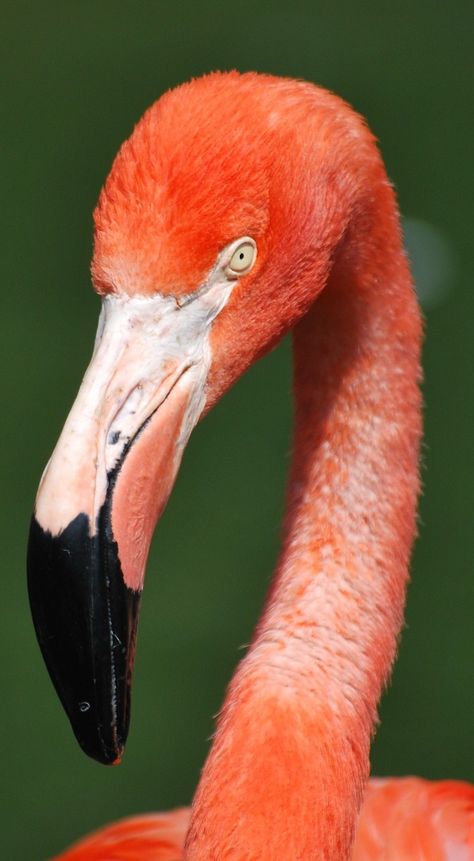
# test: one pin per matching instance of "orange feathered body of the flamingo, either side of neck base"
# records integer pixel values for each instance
(404, 819)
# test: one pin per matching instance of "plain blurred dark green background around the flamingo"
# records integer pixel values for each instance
(76, 76)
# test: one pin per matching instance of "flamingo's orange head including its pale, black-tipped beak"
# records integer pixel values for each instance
(213, 234)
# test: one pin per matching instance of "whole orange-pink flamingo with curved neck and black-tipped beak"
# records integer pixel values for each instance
(241, 207)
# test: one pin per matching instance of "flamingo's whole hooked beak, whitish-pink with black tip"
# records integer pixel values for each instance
(100, 496)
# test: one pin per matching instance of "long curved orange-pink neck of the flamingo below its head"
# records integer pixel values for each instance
(292, 745)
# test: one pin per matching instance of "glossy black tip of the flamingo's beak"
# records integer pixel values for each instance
(85, 619)
